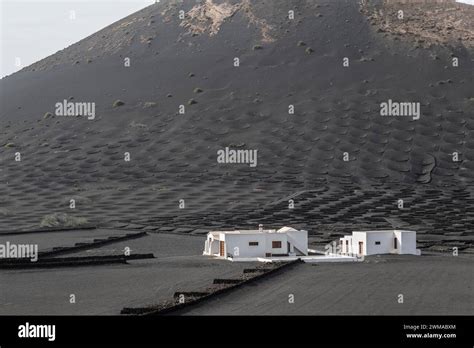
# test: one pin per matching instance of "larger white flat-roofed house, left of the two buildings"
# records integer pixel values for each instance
(252, 244)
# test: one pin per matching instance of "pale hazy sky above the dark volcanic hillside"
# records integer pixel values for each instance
(34, 29)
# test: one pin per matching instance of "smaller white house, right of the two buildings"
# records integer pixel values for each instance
(379, 242)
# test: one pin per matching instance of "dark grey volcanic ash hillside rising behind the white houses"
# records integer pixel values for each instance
(190, 62)
